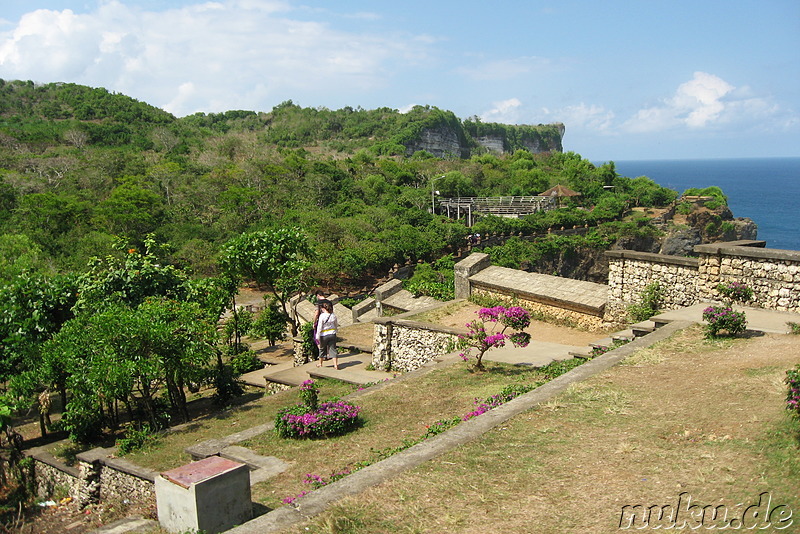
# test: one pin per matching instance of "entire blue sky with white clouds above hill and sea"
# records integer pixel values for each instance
(644, 79)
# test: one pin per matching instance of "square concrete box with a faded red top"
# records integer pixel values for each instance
(210, 495)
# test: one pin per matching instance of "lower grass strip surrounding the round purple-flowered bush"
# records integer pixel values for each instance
(398, 412)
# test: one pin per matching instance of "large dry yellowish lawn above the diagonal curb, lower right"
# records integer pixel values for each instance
(688, 416)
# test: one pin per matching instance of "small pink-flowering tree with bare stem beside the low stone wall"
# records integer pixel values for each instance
(480, 340)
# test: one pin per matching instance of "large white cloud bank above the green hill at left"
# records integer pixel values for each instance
(200, 56)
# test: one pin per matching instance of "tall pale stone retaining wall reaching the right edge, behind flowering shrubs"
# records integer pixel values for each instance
(772, 274)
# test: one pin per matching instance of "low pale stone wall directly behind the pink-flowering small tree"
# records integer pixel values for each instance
(404, 345)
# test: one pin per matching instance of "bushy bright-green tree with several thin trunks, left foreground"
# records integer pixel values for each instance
(128, 355)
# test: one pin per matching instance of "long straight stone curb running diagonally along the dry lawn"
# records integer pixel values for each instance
(319, 500)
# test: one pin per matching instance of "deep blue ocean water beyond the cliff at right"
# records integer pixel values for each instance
(766, 190)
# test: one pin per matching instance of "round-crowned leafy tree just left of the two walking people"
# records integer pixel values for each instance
(278, 259)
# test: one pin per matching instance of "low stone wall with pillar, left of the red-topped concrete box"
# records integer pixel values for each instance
(97, 477)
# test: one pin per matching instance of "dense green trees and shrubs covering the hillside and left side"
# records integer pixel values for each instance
(124, 230)
